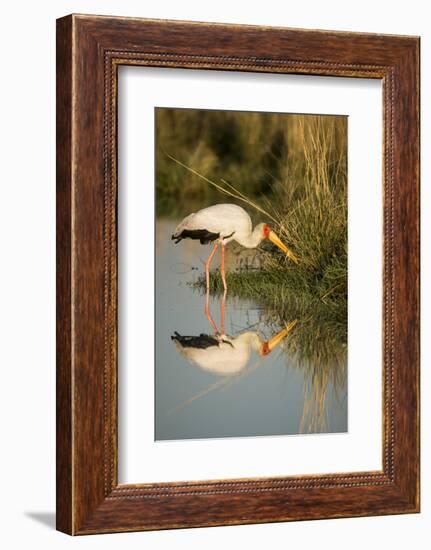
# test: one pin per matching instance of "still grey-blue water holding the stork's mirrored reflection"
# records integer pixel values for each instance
(236, 382)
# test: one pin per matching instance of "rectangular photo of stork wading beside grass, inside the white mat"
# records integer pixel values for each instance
(251, 269)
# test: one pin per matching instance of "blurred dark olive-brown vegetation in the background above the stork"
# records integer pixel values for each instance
(253, 151)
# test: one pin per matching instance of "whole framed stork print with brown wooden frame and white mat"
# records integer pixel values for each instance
(237, 274)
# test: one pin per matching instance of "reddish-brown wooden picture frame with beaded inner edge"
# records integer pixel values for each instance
(89, 51)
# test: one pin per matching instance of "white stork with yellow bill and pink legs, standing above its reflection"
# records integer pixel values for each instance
(221, 224)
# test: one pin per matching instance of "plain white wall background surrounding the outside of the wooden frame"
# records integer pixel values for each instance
(27, 297)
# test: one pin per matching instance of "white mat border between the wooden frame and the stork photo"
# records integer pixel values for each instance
(141, 460)
